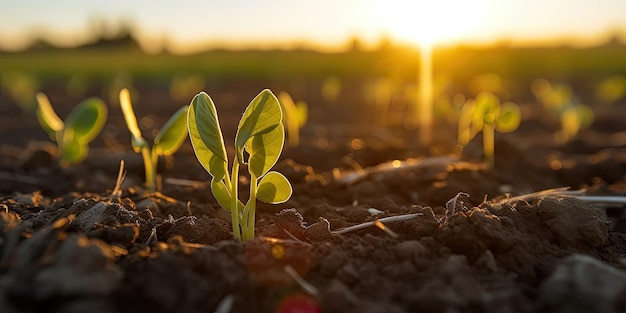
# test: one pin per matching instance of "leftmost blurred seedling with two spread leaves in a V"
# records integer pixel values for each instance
(81, 126)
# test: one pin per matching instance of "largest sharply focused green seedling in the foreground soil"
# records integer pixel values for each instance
(258, 144)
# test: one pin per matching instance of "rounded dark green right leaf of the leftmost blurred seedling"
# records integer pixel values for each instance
(87, 119)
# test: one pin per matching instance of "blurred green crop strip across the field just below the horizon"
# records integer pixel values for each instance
(458, 63)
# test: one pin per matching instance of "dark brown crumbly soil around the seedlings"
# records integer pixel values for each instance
(65, 246)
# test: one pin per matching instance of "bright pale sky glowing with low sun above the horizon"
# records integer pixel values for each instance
(188, 23)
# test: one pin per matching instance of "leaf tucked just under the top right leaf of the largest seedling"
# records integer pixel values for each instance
(265, 149)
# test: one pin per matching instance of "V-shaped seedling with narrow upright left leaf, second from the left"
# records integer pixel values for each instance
(166, 142)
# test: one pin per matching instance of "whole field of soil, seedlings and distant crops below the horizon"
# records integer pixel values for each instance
(299, 181)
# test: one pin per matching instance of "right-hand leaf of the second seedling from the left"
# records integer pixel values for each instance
(173, 133)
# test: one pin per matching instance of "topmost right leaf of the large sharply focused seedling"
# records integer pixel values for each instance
(262, 115)
